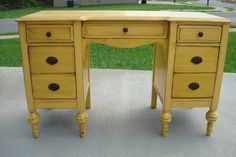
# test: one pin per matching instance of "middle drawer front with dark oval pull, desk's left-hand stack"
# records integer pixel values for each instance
(52, 59)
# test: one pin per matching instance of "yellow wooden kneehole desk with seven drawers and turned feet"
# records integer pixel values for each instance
(189, 54)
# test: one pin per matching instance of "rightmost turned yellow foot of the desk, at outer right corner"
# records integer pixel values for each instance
(211, 117)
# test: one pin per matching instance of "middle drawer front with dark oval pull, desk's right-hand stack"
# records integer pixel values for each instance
(196, 59)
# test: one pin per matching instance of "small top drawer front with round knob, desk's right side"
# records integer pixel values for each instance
(199, 34)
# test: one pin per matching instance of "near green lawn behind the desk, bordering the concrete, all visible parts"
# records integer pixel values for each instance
(108, 57)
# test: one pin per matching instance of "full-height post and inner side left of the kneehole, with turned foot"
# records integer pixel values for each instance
(82, 76)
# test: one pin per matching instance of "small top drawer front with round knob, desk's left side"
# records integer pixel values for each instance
(49, 33)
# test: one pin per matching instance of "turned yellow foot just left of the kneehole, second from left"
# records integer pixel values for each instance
(81, 119)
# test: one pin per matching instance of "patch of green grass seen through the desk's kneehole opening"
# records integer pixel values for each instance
(102, 56)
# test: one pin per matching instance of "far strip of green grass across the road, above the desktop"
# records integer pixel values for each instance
(20, 12)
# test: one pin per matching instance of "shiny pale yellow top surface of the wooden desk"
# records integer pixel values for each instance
(69, 15)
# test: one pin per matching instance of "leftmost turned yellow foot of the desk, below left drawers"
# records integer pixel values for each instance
(33, 119)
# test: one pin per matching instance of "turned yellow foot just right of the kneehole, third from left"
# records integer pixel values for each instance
(165, 120)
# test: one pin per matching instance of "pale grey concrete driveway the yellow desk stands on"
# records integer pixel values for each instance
(120, 123)
